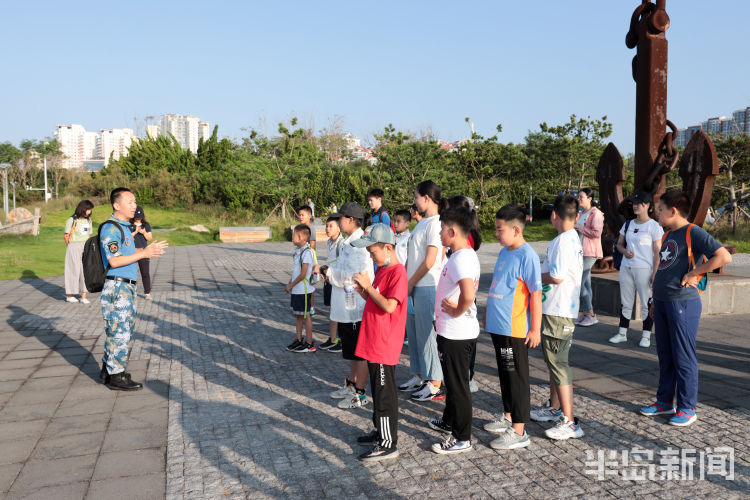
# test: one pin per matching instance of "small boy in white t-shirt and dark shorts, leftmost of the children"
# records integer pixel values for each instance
(300, 289)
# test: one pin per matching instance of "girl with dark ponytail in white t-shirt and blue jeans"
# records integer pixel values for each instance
(425, 253)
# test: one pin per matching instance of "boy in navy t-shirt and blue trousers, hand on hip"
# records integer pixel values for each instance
(677, 307)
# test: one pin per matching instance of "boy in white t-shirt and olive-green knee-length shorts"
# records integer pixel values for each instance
(561, 277)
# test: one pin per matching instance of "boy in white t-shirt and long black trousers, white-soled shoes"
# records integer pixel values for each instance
(457, 329)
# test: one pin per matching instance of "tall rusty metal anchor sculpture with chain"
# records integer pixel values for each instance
(655, 153)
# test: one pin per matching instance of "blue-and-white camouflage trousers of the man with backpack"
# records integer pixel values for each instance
(118, 310)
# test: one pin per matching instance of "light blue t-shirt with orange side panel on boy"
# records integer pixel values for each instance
(516, 276)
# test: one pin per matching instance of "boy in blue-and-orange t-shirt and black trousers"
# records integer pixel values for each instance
(514, 318)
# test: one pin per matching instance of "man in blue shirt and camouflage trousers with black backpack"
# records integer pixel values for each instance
(120, 258)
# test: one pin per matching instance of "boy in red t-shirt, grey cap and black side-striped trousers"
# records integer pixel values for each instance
(381, 337)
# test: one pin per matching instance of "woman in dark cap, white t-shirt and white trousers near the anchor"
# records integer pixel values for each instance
(639, 246)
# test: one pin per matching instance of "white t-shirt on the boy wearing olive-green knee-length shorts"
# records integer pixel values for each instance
(564, 261)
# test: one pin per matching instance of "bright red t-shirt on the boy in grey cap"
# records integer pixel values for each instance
(381, 335)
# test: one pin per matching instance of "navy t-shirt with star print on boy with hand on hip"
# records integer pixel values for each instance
(674, 263)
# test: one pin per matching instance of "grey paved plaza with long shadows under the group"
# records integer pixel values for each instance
(227, 413)
